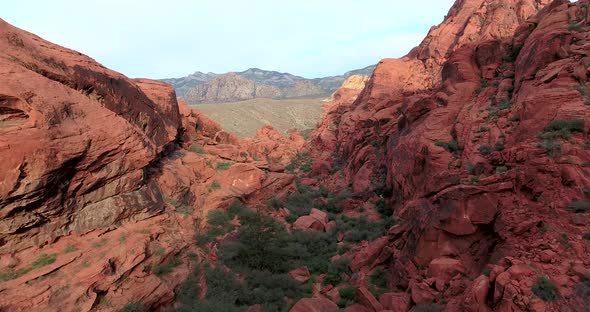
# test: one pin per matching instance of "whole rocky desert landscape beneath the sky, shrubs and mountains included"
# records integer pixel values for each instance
(455, 178)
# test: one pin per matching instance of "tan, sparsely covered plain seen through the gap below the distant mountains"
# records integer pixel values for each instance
(245, 117)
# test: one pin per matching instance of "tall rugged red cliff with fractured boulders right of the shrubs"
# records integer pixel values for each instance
(476, 138)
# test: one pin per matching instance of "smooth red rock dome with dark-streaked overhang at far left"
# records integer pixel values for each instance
(75, 138)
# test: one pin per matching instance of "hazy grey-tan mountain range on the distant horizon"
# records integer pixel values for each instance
(255, 83)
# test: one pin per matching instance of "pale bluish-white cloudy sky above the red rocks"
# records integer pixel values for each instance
(162, 39)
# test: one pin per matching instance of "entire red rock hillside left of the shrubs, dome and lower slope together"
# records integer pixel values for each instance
(105, 180)
